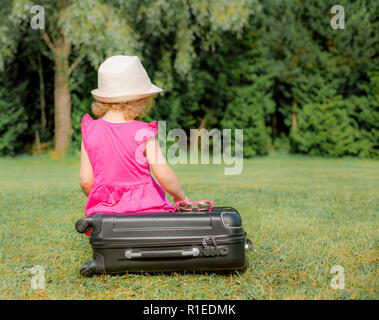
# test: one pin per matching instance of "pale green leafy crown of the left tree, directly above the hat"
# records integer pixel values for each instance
(97, 30)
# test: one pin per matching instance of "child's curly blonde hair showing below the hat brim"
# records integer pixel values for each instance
(130, 109)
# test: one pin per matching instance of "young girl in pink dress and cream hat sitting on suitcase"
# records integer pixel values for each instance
(118, 151)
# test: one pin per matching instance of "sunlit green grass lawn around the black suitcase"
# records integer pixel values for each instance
(303, 215)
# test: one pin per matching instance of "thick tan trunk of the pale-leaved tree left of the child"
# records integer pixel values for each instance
(62, 99)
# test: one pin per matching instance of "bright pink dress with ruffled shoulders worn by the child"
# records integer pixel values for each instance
(122, 179)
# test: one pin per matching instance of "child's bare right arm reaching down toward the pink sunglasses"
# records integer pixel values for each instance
(162, 171)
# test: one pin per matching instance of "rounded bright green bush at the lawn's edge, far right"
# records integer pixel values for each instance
(337, 127)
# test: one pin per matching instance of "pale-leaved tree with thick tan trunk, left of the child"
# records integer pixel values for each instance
(73, 30)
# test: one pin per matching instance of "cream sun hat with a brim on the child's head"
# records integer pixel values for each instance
(121, 79)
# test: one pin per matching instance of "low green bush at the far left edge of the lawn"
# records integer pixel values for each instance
(13, 120)
